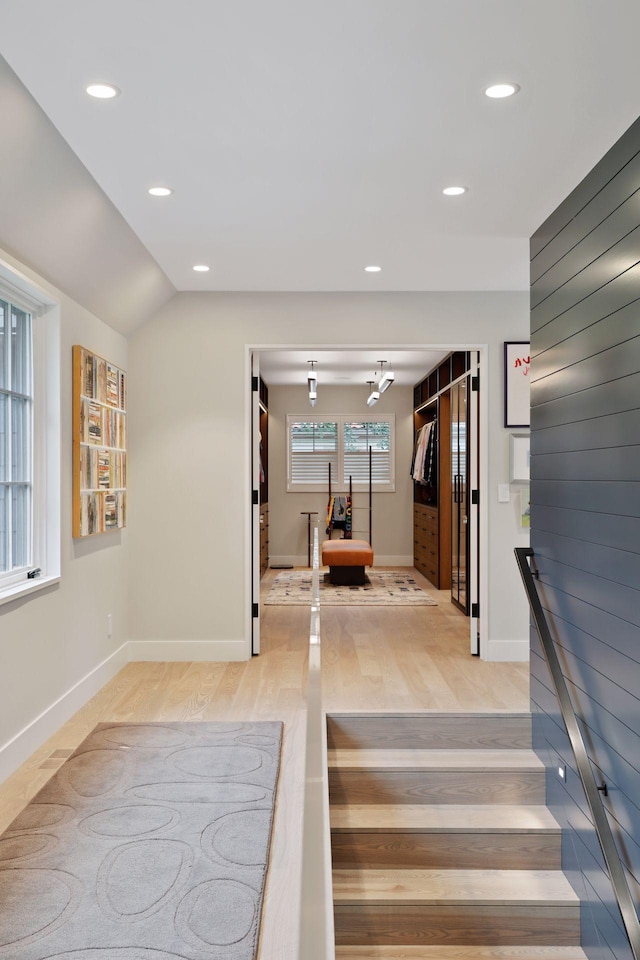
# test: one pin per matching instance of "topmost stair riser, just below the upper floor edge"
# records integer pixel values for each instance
(429, 732)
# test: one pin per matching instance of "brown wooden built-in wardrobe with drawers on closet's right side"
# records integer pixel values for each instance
(432, 502)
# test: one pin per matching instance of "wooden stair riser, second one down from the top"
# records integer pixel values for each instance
(483, 787)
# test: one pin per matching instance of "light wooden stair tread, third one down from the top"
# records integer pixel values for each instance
(453, 887)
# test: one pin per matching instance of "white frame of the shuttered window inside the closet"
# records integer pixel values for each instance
(338, 483)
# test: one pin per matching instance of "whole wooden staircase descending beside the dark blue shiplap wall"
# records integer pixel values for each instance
(442, 846)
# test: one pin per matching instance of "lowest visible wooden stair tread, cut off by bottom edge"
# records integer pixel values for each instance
(459, 952)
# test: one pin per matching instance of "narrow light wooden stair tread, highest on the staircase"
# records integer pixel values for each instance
(467, 760)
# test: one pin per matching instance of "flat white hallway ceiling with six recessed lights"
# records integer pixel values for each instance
(304, 140)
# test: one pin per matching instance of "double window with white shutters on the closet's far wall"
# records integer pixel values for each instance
(314, 442)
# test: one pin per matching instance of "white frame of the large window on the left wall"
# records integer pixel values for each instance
(45, 436)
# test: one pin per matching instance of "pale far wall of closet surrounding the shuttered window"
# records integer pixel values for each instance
(392, 513)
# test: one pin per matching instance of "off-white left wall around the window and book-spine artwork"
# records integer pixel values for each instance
(52, 640)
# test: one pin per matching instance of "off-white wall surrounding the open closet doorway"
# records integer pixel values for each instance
(189, 401)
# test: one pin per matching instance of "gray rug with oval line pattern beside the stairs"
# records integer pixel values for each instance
(151, 842)
